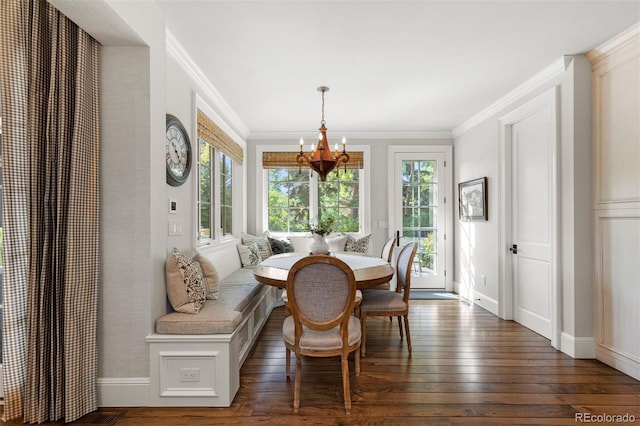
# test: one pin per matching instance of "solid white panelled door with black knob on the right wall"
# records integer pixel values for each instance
(532, 145)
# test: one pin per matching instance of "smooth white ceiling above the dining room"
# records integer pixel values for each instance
(393, 67)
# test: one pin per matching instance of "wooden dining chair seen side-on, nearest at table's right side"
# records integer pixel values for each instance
(391, 303)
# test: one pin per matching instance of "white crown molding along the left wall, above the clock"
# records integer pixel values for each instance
(177, 52)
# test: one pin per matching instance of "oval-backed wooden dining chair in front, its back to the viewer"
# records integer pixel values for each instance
(321, 294)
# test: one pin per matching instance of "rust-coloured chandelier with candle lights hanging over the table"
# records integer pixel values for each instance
(322, 160)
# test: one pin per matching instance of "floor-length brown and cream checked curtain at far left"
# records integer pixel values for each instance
(49, 94)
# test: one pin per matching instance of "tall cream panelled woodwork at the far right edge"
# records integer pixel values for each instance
(616, 200)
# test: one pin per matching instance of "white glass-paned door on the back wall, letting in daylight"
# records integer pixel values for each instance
(419, 186)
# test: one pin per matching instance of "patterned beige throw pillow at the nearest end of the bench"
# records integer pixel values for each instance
(185, 286)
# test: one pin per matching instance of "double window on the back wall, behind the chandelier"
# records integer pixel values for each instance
(294, 198)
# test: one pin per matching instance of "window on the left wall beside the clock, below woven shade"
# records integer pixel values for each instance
(208, 158)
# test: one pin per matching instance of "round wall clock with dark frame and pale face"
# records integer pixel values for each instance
(178, 152)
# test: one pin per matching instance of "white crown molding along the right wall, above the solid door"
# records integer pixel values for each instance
(555, 69)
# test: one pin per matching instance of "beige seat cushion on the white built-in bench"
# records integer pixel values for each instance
(220, 316)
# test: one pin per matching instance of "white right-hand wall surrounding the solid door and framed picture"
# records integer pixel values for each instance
(477, 244)
